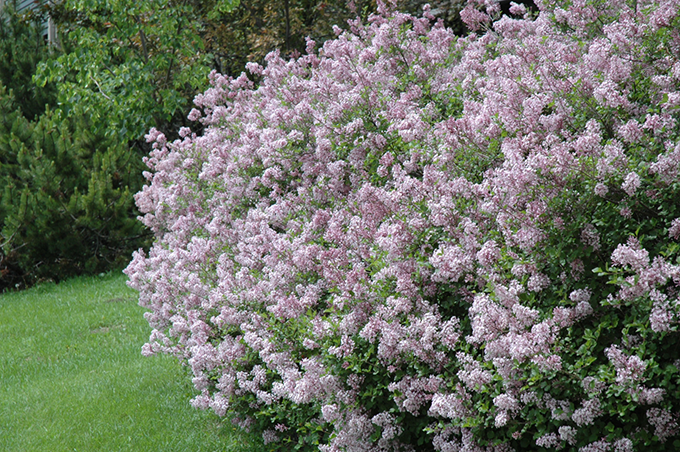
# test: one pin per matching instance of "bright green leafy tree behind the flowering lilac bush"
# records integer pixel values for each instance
(129, 65)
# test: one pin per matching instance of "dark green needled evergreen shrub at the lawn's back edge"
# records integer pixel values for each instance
(66, 204)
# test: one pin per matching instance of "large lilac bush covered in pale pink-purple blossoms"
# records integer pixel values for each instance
(406, 240)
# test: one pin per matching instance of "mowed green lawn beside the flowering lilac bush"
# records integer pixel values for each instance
(72, 377)
